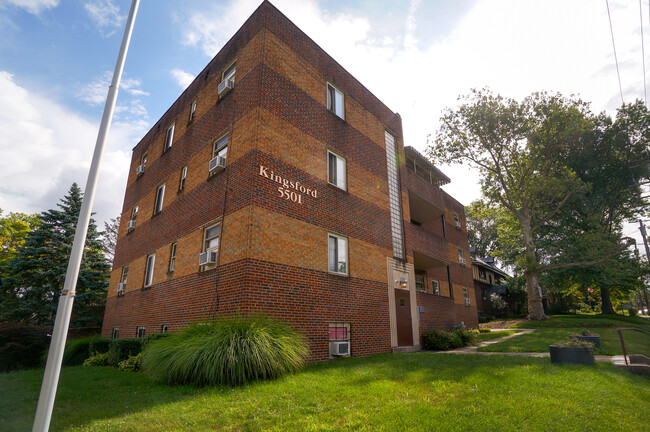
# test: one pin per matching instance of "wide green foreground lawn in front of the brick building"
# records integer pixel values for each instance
(406, 392)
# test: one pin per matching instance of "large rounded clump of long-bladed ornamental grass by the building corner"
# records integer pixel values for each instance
(230, 351)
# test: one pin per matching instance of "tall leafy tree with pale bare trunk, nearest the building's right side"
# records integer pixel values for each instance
(520, 150)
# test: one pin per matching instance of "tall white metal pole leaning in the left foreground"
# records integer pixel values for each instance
(66, 300)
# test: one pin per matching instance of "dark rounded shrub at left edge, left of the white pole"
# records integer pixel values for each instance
(22, 345)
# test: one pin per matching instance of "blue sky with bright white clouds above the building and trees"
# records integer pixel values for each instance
(417, 56)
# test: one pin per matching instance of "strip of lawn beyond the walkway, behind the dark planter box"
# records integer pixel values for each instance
(541, 338)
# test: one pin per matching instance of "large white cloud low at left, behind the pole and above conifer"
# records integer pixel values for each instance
(46, 147)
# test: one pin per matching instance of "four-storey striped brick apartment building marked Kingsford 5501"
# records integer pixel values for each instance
(291, 178)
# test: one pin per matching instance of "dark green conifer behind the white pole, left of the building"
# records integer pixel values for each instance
(34, 276)
